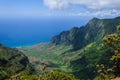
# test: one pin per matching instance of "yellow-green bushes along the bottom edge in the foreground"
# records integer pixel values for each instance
(52, 75)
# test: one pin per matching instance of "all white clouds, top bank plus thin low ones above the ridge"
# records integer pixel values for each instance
(94, 8)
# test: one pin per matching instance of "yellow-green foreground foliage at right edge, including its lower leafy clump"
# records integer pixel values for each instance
(111, 41)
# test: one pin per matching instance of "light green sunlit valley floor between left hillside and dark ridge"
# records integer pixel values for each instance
(47, 52)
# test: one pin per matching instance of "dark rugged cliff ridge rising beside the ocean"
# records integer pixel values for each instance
(94, 30)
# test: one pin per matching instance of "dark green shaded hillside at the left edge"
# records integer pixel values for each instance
(12, 62)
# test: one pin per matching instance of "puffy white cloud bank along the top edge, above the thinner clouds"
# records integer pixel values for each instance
(92, 4)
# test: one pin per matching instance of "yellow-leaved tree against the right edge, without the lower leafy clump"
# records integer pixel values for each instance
(113, 42)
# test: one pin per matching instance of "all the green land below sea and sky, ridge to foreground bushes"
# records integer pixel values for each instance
(78, 51)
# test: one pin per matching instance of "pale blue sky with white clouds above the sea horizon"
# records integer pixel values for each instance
(59, 8)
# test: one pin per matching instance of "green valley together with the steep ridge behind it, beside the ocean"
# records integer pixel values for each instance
(78, 50)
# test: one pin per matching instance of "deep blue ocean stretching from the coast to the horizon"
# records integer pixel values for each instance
(25, 32)
